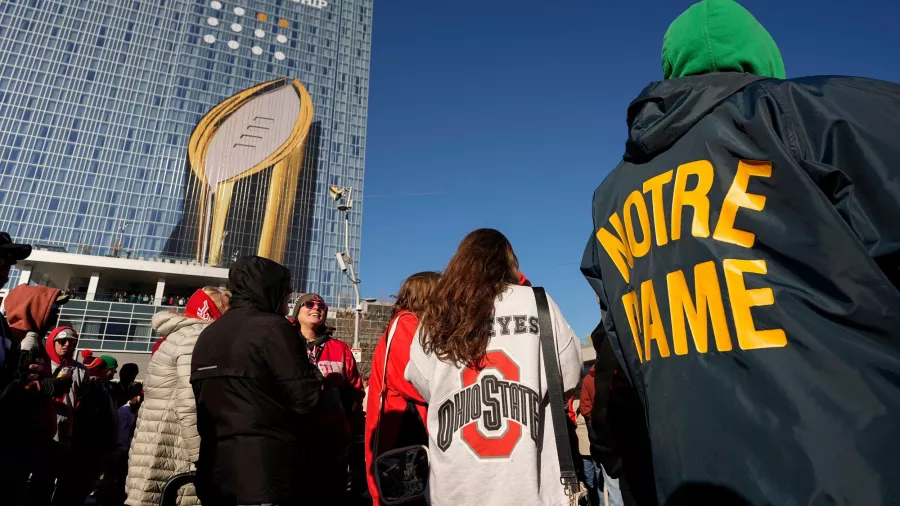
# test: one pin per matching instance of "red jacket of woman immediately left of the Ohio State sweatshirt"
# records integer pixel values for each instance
(399, 392)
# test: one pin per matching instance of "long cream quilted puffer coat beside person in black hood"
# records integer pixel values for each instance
(166, 441)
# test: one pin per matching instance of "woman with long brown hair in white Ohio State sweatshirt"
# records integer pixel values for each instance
(478, 365)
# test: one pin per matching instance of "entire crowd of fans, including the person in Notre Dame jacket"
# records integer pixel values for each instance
(476, 366)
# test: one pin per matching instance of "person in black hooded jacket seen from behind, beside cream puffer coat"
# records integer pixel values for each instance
(256, 393)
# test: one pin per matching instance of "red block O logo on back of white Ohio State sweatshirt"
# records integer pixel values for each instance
(500, 446)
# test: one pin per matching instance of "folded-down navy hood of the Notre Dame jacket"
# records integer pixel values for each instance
(666, 110)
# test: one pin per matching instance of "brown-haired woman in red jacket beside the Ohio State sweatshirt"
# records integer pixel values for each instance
(401, 421)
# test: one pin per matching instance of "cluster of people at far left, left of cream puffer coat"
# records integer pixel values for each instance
(63, 422)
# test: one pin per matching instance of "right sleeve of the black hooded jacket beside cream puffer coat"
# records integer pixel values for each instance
(289, 365)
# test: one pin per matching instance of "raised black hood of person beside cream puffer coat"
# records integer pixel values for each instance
(259, 283)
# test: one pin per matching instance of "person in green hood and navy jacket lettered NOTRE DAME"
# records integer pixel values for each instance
(746, 254)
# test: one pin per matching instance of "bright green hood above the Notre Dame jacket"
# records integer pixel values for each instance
(719, 36)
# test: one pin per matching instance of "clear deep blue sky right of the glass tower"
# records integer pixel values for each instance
(509, 113)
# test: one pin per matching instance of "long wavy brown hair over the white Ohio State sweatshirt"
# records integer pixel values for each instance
(456, 324)
